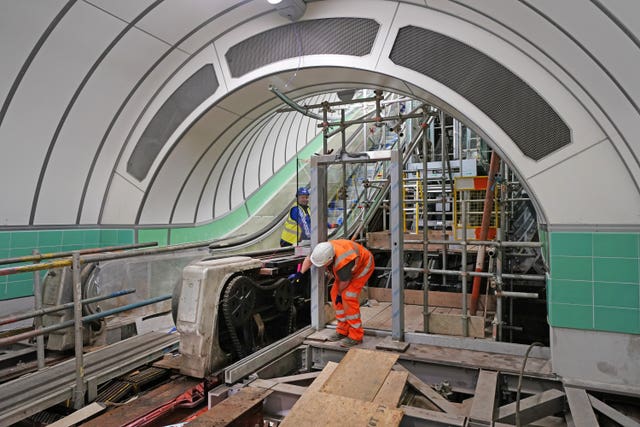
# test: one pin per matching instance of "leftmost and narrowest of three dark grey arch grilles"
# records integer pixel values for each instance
(201, 85)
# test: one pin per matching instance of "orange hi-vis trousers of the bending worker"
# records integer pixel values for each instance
(348, 312)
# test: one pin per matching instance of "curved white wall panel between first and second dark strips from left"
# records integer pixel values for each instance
(40, 101)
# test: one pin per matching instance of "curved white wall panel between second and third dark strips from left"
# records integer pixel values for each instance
(87, 122)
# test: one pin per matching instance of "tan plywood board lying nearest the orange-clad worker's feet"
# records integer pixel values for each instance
(360, 374)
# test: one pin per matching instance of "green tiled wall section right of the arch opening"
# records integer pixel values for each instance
(594, 281)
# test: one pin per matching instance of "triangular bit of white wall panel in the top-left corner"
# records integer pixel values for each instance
(21, 25)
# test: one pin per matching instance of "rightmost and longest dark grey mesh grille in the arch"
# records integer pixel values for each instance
(518, 109)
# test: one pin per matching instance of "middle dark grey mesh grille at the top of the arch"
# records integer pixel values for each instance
(332, 36)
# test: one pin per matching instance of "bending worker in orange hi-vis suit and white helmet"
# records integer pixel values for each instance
(351, 265)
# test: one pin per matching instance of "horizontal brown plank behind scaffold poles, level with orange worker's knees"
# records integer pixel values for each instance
(436, 298)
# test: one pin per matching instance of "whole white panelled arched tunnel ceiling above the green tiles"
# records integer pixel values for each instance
(81, 81)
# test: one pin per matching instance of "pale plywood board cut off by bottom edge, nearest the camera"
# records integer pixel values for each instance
(326, 409)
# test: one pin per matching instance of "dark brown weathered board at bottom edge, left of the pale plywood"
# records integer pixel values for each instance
(234, 408)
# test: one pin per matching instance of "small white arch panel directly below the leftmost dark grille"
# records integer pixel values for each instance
(122, 202)
